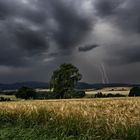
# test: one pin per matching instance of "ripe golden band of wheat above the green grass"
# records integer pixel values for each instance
(114, 111)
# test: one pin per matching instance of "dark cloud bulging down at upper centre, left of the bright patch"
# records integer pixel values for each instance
(72, 27)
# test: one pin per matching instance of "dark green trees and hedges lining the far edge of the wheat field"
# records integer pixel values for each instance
(63, 86)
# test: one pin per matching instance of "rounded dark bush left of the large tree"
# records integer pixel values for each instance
(26, 93)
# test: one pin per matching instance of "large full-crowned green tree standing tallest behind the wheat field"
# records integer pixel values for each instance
(64, 79)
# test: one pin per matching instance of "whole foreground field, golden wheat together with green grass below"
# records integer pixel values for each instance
(81, 119)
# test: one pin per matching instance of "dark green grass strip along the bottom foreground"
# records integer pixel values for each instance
(66, 132)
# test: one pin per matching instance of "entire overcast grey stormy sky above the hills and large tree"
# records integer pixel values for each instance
(100, 37)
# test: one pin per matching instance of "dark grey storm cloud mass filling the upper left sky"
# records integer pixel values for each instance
(18, 38)
